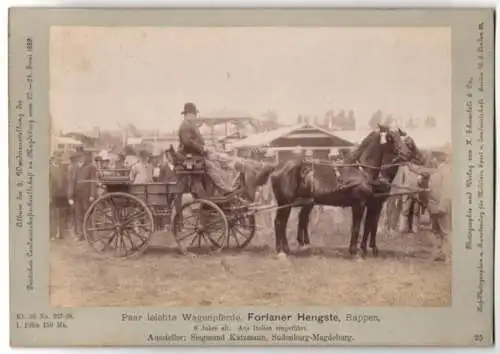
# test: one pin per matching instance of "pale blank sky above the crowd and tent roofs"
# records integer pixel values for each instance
(106, 76)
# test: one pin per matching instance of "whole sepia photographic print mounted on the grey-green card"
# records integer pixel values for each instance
(250, 166)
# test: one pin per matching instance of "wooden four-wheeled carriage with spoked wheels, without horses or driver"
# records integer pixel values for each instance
(123, 220)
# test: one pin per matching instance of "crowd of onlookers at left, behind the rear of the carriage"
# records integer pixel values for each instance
(76, 182)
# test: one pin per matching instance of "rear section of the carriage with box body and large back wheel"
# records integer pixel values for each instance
(121, 222)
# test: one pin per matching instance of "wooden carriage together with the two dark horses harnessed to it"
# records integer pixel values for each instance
(125, 217)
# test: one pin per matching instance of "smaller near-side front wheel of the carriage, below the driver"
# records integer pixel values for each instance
(199, 226)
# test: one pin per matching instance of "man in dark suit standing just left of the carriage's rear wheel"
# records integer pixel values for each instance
(82, 189)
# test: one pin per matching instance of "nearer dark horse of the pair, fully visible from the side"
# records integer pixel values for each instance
(299, 183)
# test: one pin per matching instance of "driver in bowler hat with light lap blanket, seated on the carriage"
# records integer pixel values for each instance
(191, 142)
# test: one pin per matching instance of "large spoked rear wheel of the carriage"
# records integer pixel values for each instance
(119, 225)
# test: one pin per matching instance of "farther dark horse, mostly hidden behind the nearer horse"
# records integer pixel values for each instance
(374, 206)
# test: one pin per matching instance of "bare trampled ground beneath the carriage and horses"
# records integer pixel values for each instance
(403, 274)
